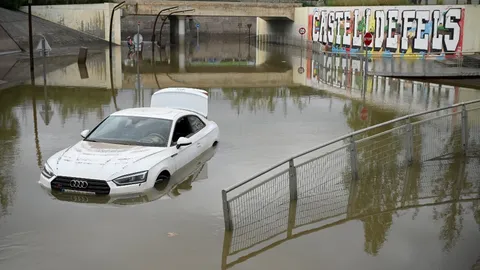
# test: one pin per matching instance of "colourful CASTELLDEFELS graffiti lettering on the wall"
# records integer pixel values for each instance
(402, 30)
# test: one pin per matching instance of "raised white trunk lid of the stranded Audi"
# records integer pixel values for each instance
(190, 99)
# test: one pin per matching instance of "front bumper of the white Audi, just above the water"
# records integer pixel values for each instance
(113, 189)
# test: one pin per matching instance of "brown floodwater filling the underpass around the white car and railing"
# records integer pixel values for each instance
(269, 105)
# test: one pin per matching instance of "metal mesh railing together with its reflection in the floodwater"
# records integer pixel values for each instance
(406, 162)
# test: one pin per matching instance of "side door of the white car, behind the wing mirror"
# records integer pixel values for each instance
(185, 153)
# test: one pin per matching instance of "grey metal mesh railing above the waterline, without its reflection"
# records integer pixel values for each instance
(350, 157)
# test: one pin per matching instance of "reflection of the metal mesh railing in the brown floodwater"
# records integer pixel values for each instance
(440, 182)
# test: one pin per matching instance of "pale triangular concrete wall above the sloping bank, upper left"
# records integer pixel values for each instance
(92, 19)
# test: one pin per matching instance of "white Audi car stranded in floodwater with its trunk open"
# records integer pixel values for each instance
(133, 149)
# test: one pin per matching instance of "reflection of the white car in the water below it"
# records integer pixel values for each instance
(196, 170)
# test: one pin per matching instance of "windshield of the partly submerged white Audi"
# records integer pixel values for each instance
(133, 130)
